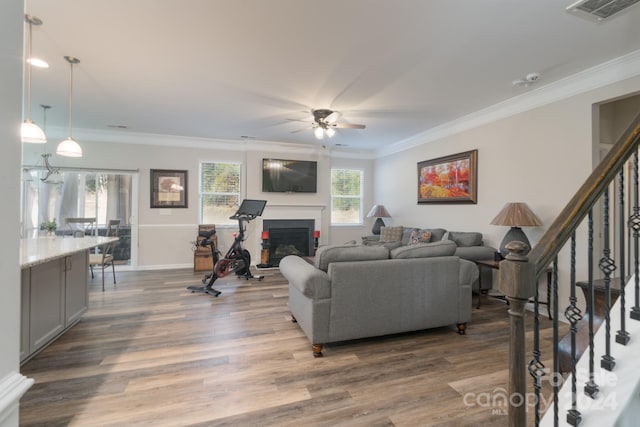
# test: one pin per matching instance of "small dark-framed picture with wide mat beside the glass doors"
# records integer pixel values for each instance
(168, 188)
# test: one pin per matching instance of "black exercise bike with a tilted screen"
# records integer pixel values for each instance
(237, 259)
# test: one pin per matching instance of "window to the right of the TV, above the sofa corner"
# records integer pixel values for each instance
(346, 196)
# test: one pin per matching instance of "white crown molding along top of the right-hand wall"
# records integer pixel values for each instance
(601, 75)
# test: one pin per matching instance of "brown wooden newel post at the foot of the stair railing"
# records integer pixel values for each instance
(517, 282)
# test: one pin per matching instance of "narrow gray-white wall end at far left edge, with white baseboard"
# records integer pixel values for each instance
(12, 383)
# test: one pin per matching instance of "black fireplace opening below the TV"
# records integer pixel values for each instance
(289, 237)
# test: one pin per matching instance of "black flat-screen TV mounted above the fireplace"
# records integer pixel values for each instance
(289, 176)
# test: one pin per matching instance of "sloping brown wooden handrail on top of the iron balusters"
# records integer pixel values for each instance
(576, 210)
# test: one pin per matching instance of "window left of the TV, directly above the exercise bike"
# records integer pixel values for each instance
(219, 192)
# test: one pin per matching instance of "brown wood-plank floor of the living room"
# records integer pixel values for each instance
(149, 352)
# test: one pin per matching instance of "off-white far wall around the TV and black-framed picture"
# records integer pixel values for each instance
(165, 235)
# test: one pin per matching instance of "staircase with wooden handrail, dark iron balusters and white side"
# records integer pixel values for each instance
(602, 387)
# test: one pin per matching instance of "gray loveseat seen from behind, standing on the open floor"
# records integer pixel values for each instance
(359, 291)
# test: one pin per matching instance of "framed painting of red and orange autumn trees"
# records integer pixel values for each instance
(449, 179)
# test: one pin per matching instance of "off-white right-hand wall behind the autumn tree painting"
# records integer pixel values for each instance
(539, 156)
